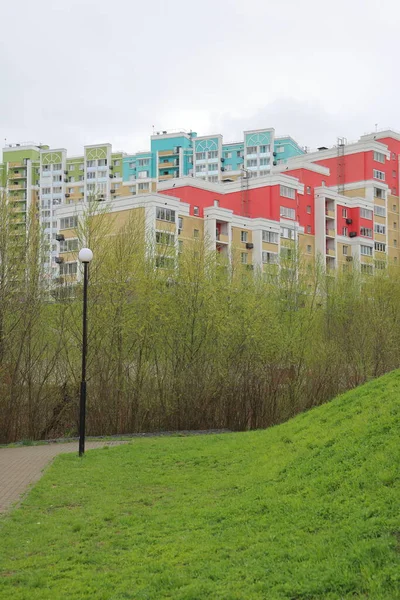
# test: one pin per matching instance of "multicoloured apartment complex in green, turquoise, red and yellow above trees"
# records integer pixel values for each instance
(258, 198)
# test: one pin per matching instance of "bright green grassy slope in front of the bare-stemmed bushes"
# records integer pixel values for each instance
(309, 509)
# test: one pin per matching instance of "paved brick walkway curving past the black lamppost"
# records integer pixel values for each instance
(20, 467)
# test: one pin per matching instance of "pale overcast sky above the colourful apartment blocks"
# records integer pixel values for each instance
(80, 72)
